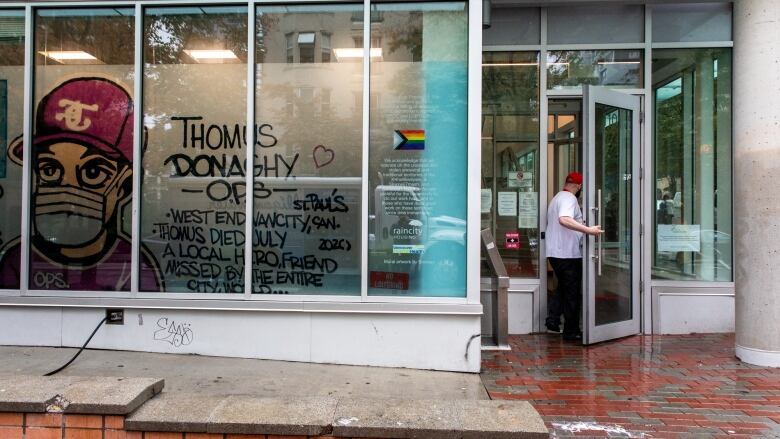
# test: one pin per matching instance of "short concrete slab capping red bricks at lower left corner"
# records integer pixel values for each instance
(86, 395)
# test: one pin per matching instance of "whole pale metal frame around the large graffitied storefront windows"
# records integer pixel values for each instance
(468, 304)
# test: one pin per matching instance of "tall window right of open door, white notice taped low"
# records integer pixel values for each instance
(693, 186)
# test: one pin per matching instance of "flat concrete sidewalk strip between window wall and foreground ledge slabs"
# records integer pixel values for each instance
(218, 376)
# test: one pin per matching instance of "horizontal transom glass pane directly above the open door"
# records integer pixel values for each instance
(568, 69)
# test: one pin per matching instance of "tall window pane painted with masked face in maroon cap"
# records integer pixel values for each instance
(82, 150)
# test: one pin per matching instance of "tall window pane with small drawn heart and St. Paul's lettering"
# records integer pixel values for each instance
(308, 158)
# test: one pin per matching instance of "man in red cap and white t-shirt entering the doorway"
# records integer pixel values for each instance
(564, 230)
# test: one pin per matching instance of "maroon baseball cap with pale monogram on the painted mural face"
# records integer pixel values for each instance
(94, 112)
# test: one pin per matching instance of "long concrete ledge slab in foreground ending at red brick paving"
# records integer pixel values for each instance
(345, 417)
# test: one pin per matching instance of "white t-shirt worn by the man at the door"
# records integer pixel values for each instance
(562, 242)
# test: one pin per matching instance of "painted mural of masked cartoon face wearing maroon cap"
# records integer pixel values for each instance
(82, 177)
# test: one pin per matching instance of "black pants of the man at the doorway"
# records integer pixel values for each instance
(568, 296)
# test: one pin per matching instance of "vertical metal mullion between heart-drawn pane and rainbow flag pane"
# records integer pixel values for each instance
(365, 155)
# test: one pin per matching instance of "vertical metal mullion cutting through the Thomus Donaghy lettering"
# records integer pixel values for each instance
(250, 148)
